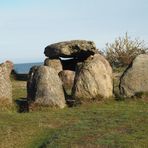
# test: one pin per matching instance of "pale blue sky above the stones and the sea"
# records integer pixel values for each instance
(28, 26)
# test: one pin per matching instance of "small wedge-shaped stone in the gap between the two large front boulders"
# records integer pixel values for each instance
(67, 78)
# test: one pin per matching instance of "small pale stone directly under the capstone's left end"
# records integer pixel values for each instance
(54, 63)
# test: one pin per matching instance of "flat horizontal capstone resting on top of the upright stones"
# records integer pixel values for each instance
(79, 49)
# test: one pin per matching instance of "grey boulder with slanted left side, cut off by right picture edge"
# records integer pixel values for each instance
(135, 78)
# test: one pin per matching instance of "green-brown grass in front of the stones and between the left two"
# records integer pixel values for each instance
(111, 124)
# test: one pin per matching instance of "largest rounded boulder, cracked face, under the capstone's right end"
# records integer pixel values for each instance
(93, 80)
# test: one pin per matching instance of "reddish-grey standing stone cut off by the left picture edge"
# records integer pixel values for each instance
(5, 83)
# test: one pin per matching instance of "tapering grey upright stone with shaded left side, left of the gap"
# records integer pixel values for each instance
(46, 87)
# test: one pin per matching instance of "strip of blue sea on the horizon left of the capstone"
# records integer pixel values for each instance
(24, 68)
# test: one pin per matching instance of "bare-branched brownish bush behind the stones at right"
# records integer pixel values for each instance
(124, 50)
